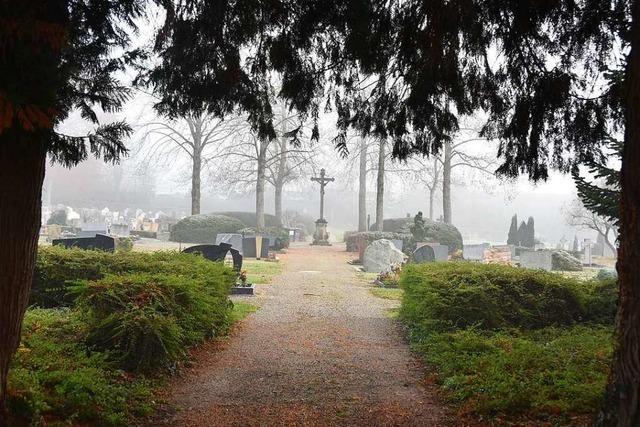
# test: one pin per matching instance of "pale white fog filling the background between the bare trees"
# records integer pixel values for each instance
(482, 205)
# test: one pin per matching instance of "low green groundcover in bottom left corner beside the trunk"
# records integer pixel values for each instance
(54, 376)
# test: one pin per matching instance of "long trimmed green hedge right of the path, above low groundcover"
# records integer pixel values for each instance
(454, 295)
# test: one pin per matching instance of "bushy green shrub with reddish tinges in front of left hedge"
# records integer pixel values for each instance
(148, 320)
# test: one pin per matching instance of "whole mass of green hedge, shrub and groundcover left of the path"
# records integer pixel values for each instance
(126, 315)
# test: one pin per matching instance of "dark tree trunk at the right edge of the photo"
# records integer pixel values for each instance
(622, 401)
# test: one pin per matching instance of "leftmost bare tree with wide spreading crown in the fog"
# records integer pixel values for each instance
(198, 136)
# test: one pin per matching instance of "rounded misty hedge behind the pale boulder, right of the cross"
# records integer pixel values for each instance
(398, 228)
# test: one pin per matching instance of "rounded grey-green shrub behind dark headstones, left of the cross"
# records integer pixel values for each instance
(204, 228)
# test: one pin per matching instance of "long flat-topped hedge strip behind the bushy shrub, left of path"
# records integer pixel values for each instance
(59, 269)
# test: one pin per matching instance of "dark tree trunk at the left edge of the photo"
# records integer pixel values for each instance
(22, 166)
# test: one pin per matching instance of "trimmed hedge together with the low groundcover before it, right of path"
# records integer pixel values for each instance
(509, 341)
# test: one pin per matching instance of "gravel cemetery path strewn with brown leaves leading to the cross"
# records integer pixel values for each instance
(320, 352)
